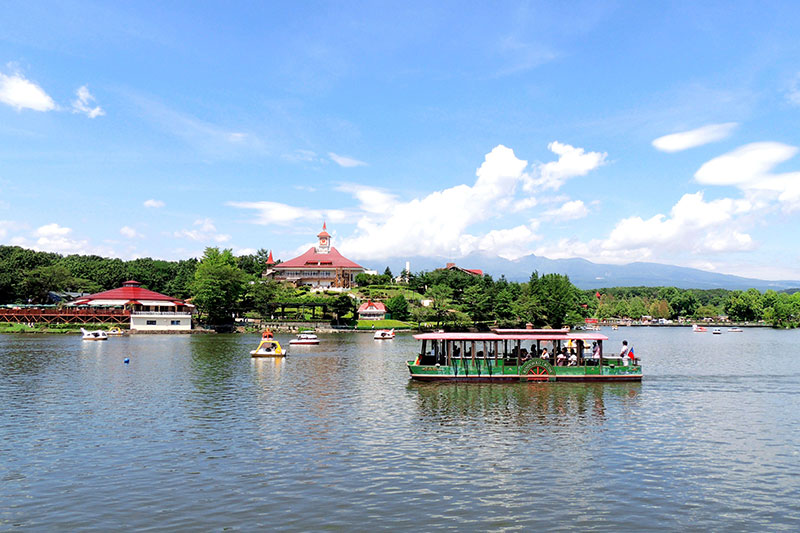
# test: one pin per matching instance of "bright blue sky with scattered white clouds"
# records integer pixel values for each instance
(612, 131)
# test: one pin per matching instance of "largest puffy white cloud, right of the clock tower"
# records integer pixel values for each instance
(442, 222)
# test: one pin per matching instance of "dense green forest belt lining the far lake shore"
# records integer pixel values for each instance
(224, 286)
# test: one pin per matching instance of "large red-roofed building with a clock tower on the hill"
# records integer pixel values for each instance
(320, 266)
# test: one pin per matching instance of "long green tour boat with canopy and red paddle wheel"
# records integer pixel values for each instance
(508, 355)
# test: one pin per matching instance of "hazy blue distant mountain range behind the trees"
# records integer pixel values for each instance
(587, 275)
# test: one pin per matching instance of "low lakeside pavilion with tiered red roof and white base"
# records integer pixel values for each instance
(149, 310)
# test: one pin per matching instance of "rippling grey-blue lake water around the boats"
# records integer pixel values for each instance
(193, 434)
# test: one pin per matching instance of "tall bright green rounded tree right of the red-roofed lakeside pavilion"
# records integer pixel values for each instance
(218, 284)
